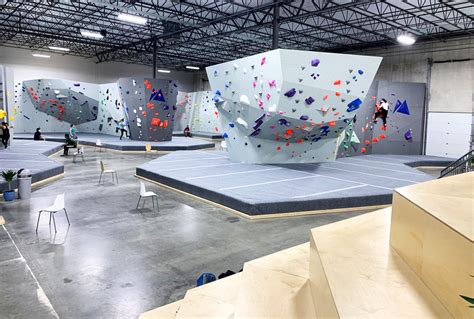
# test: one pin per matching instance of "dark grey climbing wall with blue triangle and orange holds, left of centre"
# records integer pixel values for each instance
(150, 105)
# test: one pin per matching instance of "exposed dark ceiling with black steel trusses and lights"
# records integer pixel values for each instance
(204, 32)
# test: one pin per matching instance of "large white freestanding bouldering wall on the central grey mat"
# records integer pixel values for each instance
(288, 106)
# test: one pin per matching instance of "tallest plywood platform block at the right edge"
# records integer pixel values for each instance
(432, 229)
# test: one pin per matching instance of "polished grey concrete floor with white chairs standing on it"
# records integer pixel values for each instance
(117, 262)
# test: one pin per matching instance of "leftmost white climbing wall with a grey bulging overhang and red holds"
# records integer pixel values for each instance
(54, 104)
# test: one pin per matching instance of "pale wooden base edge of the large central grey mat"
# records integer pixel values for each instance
(267, 216)
